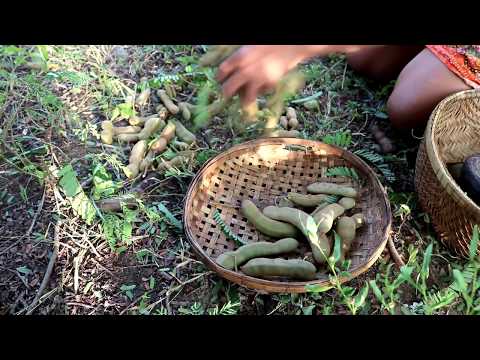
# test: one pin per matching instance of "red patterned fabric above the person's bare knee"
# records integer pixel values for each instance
(463, 60)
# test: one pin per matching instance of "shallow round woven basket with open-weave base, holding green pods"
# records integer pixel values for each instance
(264, 170)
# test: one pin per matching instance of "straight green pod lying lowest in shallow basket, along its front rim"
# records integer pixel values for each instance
(292, 268)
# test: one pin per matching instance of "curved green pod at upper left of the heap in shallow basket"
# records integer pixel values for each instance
(265, 225)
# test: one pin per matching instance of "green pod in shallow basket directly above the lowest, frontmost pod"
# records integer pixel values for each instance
(232, 259)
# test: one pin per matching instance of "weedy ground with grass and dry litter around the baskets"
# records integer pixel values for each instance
(52, 99)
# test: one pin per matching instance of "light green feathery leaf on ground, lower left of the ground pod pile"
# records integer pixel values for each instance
(79, 201)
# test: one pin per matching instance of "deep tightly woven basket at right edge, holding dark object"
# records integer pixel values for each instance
(452, 134)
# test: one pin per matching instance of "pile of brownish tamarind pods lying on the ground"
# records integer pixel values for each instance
(158, 128)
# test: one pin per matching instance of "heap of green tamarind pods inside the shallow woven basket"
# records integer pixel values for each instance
(294, 219)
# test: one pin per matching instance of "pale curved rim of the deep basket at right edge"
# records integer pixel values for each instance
(433, 153)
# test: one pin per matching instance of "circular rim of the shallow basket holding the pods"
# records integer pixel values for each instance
(272, 285)
